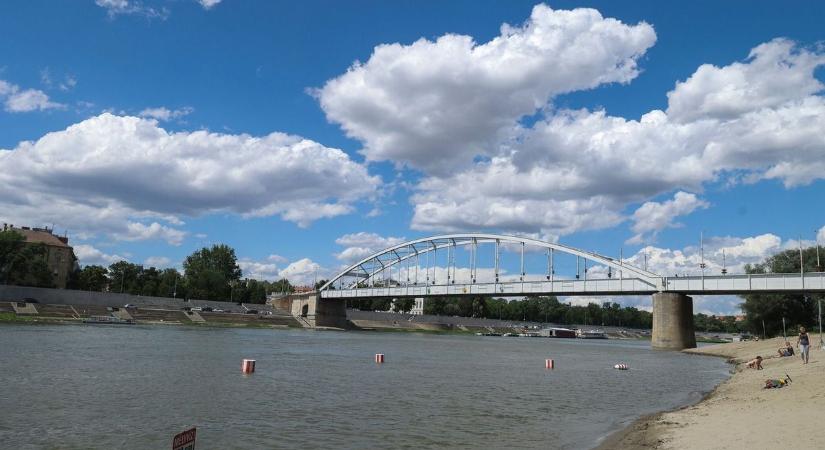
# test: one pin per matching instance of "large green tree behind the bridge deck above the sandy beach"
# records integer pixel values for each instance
(796, 309)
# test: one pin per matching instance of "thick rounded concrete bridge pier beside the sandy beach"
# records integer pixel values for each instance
(672, 321)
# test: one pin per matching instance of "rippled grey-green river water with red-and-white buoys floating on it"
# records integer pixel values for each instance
(79, 387)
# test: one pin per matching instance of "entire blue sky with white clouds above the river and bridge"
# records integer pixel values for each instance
(307, 134)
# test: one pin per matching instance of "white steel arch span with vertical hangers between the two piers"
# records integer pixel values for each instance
(629, 279)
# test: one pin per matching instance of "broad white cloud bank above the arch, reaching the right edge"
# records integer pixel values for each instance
(579, 170)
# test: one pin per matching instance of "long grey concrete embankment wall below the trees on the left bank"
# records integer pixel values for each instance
(71, 297)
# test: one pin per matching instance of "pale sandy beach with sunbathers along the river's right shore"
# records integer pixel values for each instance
(739, 413)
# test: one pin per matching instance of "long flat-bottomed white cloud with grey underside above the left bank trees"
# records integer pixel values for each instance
(123, 176)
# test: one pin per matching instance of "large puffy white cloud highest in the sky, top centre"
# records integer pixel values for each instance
(436, 104)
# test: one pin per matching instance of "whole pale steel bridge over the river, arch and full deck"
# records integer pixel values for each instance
(397, 272)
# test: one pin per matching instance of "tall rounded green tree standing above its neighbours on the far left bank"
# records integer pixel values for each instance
(209, 272)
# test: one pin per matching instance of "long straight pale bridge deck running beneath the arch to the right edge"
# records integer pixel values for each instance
(692, 285)
